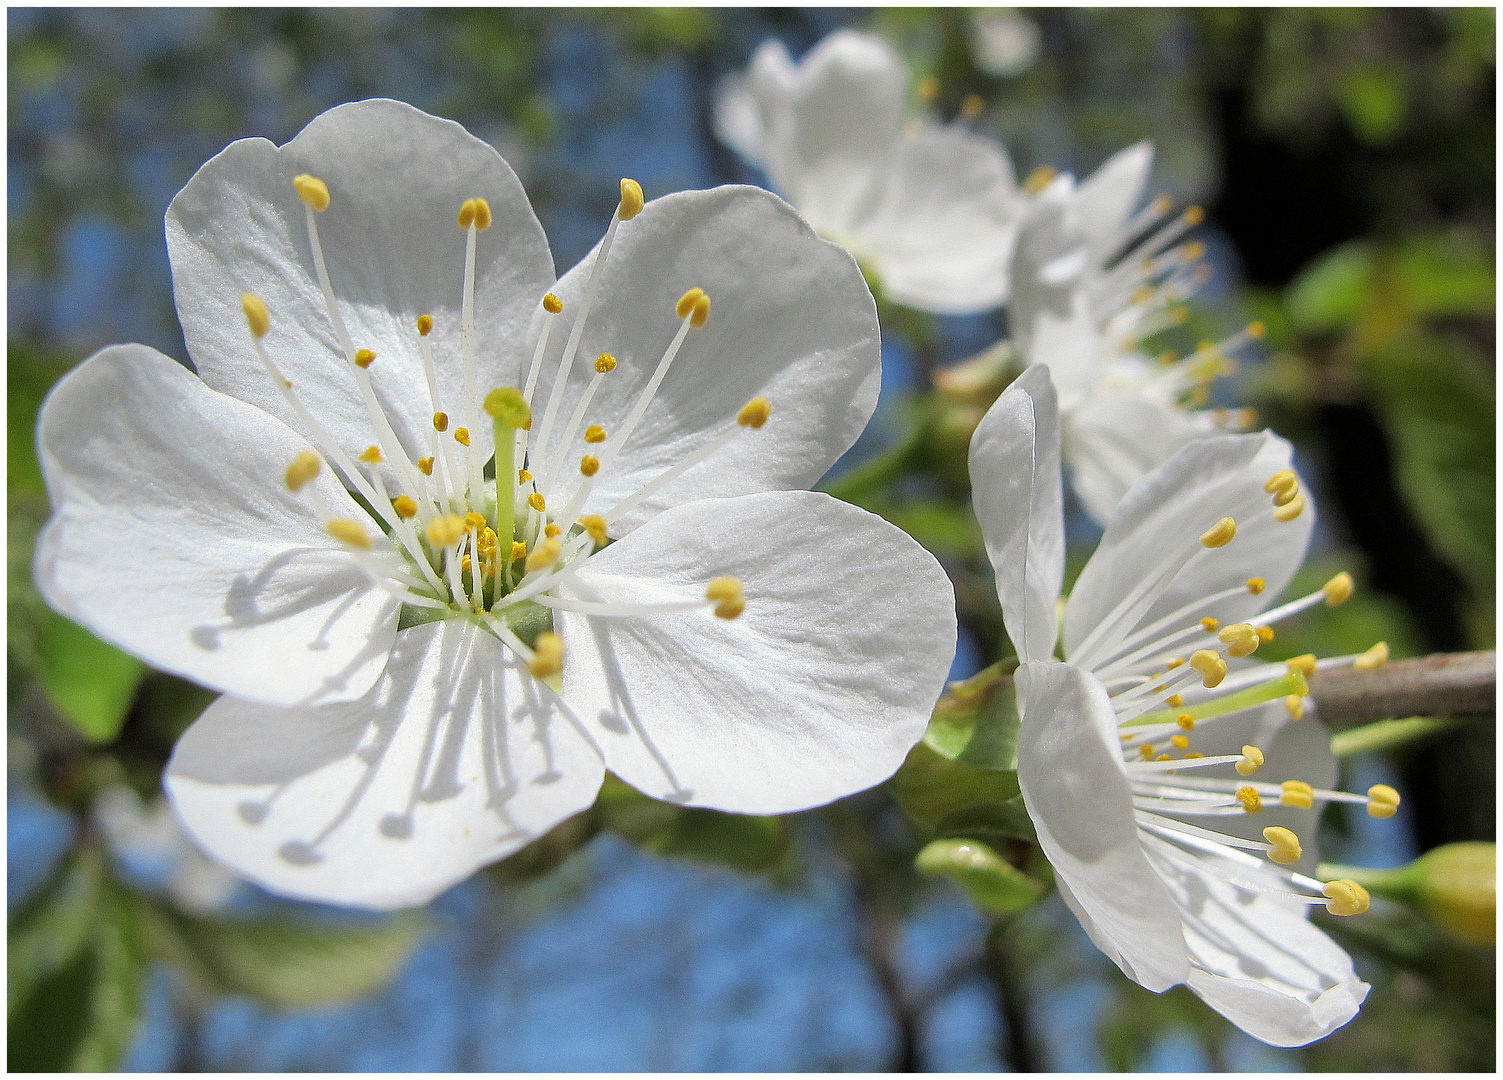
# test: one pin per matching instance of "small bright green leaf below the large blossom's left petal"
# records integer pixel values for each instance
(89, 683)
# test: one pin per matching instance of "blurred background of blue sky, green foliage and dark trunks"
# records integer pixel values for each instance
(1346, 160)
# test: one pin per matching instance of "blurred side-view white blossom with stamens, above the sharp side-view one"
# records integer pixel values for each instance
(1092, 282)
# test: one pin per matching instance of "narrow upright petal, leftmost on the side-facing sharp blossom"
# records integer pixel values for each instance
(1015, 489)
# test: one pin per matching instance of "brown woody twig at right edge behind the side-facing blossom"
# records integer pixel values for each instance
(1448, 684)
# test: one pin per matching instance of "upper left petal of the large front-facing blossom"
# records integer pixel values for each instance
(398, 178)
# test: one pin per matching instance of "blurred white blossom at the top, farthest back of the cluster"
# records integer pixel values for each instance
(933, 210)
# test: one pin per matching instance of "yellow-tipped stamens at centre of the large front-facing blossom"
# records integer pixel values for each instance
(450, 543)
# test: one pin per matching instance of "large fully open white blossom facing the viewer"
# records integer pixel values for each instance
(453, 538)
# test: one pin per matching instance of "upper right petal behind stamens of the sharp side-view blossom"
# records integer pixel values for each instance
(1164, 517)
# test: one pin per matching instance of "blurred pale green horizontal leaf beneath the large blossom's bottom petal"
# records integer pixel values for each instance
(283, 962)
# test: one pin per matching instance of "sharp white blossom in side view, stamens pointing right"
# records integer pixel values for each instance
(1137, 755)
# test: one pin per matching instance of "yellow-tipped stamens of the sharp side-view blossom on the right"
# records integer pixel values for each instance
(1164, 701)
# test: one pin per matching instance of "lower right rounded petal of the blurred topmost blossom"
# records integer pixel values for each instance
(943, 235)
